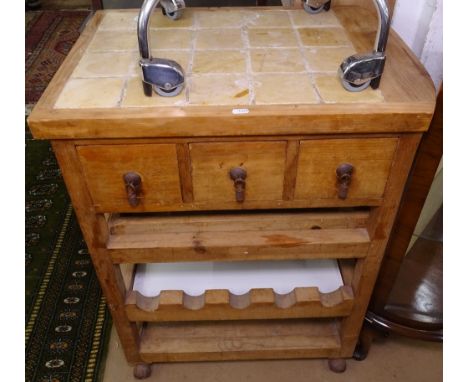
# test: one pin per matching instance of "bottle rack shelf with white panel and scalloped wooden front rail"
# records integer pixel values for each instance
(290, 289)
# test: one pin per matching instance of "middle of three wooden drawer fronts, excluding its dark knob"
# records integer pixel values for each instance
(263, 163)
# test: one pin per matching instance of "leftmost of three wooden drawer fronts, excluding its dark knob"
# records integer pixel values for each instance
(104, 167)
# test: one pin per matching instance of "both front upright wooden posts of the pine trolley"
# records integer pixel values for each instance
(95, 231)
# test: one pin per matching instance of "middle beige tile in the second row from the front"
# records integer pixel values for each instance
(228, 61)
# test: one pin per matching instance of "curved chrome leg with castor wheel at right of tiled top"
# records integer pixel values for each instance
(357, 72)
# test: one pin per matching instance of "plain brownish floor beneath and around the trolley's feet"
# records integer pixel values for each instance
(393, 359)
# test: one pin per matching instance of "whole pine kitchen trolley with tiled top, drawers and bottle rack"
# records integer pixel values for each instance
(263, 158)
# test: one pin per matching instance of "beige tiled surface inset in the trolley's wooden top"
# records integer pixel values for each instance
(230, 57)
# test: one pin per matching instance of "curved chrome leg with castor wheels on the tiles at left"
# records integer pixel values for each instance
(165, 76)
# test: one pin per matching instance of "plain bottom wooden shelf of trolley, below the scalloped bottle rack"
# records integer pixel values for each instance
(215, 341)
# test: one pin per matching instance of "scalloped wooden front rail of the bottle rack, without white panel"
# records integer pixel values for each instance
(222, 305)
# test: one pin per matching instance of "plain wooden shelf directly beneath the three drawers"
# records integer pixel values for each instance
(146, 239)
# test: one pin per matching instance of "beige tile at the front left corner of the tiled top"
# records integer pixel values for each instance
(90, 93)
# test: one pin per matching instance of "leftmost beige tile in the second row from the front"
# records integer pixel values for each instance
(105, 64)
